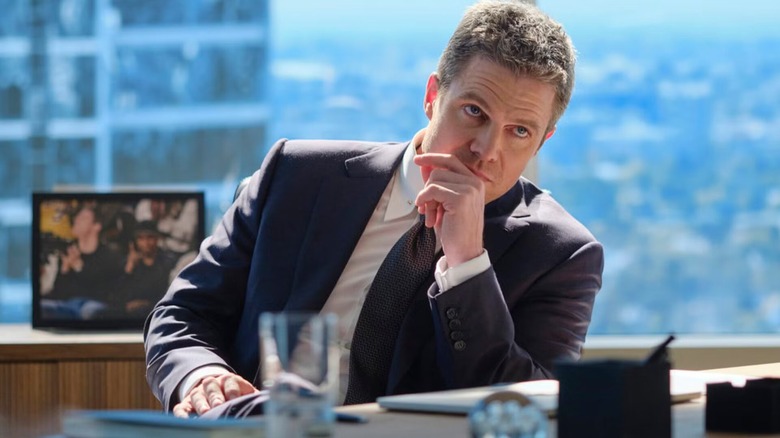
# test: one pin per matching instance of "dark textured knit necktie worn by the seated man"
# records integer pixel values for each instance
(401, 274)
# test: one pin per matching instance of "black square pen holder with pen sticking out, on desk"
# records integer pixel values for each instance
(614, 398)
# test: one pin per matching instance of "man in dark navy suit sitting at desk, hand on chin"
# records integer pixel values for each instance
(512, 291)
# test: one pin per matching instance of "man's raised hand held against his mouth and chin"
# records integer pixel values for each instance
(453, 202)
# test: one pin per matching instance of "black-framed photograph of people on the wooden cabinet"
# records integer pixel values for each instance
(101, 261)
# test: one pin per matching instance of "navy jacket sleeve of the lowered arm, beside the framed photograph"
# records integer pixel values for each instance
(195, 322)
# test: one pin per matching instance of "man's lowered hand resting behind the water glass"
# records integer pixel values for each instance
(211, 392)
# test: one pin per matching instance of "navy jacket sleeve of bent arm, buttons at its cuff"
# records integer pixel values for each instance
(487, 335)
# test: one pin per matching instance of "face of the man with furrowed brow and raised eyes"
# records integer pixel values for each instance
(490, 119)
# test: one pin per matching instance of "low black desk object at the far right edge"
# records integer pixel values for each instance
(752, 409)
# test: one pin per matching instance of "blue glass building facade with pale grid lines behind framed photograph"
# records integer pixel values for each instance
(116, 95)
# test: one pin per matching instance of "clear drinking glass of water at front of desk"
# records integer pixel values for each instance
(299, 361)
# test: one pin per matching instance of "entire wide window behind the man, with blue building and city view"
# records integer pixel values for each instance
(669, 152)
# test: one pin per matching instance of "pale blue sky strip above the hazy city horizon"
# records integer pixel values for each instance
(306, 18)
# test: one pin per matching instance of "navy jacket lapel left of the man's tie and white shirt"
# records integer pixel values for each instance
(344, 204)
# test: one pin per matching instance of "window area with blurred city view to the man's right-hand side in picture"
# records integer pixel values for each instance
(670, 154)
